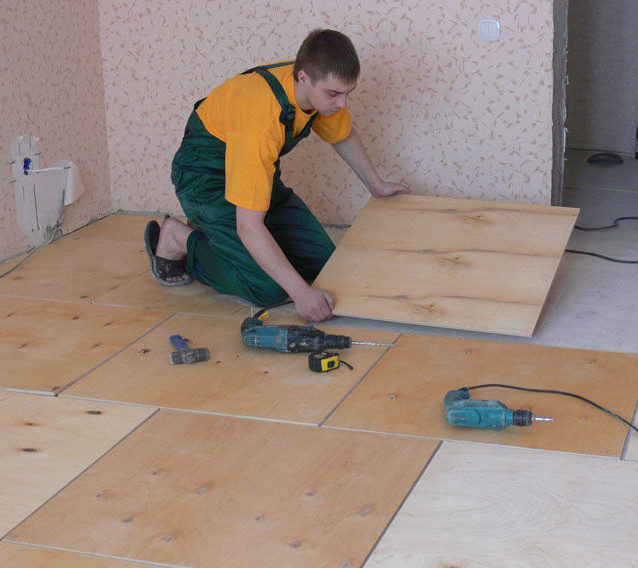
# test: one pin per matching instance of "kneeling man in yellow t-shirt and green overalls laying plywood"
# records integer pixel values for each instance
(253, 236)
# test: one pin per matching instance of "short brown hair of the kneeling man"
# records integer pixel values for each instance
(327, 51)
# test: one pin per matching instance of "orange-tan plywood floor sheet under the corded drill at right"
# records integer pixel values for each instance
(405, 390)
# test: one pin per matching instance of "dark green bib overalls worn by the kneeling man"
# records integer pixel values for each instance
(216, 255)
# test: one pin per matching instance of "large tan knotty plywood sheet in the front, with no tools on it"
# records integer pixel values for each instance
(206, 491)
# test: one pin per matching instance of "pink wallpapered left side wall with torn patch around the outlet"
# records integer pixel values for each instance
(51, 86)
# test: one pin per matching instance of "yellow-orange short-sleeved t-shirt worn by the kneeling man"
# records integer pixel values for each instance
(244, 113)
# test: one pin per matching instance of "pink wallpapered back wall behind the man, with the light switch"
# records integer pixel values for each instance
(436, 108)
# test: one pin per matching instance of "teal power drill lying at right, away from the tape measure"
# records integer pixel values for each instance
(460, 410)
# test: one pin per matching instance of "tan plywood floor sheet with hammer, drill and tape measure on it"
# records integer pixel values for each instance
(237, 380)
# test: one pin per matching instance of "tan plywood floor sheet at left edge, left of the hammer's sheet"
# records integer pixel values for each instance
(45, 344)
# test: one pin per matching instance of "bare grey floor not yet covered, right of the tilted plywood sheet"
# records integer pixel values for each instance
(592, 303)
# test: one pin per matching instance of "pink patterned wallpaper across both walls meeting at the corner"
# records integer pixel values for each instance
(436, 108)
